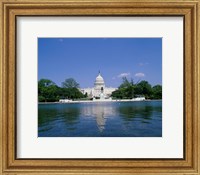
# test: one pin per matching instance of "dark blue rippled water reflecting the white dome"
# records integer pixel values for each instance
(105, 119)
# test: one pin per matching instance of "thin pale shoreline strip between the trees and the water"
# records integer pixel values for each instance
(97, 101)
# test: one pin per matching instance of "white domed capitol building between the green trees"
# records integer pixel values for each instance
(99, 90)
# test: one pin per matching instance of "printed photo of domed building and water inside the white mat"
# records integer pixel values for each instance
(106, 103)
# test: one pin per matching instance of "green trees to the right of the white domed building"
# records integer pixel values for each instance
(129, 89)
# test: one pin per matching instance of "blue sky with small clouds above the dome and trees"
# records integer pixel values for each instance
(82, 58)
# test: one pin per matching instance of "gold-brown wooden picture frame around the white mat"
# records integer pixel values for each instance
(10, 9)
